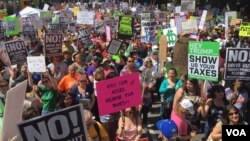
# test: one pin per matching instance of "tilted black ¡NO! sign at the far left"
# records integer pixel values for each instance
(17, 51)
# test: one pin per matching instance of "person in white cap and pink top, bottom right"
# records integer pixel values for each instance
(178, 115)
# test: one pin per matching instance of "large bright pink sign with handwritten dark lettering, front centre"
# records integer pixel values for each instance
(118, 93)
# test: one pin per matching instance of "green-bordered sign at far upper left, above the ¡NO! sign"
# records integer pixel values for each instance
(12, 26)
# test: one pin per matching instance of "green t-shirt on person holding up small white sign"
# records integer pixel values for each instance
(48, 98)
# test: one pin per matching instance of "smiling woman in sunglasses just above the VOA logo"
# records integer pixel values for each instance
(231, 116)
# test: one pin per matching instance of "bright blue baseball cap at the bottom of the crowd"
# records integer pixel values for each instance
(167, 127)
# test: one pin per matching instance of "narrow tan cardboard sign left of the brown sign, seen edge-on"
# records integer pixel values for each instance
(163, 50)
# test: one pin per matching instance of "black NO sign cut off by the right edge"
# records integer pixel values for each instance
(237, 64)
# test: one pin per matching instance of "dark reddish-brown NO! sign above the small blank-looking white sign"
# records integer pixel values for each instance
(53, 44)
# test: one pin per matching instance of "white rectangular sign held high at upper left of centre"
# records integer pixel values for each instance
(84, 17)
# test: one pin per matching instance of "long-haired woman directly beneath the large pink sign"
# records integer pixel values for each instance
(129, 125)
